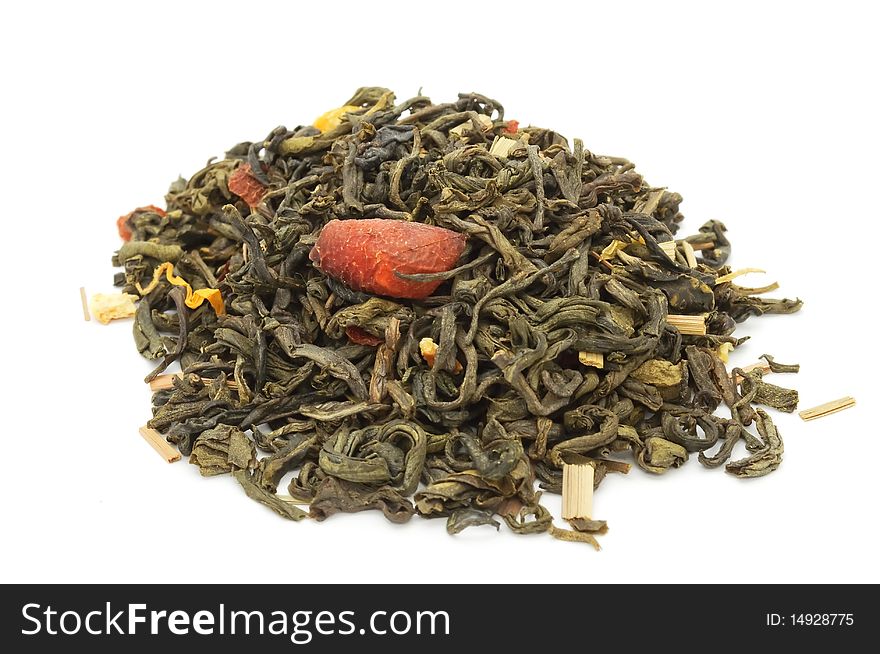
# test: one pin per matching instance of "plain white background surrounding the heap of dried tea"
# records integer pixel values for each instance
(763, 115)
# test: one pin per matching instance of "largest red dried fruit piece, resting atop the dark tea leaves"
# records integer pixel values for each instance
(367, 254)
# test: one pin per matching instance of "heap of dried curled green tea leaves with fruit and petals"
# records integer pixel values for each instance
(428, 309)
